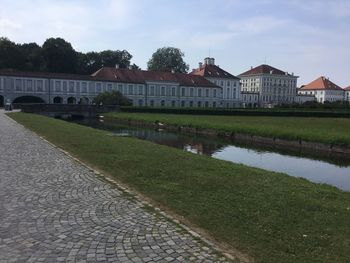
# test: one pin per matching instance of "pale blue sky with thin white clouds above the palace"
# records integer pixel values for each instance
(310, 38)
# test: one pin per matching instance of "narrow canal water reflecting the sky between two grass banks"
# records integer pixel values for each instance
(314, 167)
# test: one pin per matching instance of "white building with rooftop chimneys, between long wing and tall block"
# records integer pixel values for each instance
(231, 92)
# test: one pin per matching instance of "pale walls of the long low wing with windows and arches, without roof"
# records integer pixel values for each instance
(75, 91)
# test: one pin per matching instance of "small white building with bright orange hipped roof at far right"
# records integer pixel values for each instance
(323, 90)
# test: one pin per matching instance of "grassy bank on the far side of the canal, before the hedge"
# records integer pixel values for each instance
(325, 130)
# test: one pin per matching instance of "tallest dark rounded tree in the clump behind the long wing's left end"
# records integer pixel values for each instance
(59, 56)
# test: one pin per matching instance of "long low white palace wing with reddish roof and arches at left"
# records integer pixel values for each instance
(143, 88)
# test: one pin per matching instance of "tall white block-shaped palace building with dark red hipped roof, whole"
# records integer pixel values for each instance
(273, 85)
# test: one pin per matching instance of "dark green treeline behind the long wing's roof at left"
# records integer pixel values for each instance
(58, 55)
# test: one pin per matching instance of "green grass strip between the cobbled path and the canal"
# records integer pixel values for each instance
(272, 217)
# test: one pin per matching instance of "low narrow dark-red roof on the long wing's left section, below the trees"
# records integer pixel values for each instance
(16, 73)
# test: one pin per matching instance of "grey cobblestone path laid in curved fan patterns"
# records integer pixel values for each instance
(53, 209)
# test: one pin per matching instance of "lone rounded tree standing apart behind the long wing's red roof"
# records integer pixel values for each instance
(168, 59)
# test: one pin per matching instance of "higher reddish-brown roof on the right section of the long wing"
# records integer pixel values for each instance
(143, 76)
